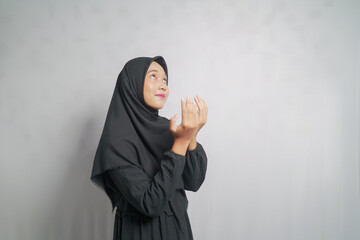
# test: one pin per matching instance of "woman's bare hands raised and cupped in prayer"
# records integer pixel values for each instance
(194, 117)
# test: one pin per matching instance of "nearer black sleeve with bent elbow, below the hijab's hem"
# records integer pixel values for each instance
(149, 196)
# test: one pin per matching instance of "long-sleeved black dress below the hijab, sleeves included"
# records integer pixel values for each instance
(143, 211)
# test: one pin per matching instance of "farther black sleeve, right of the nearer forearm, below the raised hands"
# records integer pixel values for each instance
(195, 168)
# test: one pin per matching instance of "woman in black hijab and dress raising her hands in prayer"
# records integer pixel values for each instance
(145, 162)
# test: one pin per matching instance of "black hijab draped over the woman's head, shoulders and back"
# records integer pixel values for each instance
(133, 132)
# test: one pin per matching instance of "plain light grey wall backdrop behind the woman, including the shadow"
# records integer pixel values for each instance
(281, 79)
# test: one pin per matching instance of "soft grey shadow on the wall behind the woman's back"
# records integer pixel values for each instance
(82, 210)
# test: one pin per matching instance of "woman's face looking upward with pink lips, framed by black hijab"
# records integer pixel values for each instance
(156, 90)
